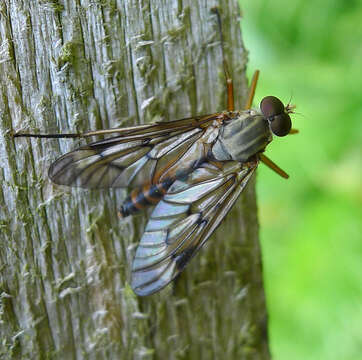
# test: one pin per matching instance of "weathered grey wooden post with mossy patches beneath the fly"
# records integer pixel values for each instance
(65, 255)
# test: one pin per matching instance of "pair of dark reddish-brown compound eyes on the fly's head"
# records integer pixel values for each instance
(274, 111)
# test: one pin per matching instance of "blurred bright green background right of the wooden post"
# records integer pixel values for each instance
(311, 51)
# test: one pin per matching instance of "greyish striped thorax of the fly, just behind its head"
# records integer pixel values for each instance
(242, 136)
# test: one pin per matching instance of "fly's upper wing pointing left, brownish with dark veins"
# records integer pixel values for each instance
(138, 153)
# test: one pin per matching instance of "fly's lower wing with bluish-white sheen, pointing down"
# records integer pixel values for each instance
(183, 221)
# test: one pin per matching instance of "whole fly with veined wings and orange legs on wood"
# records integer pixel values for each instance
(192, 170)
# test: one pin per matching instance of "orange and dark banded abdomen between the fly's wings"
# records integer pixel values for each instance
(145, 196)
